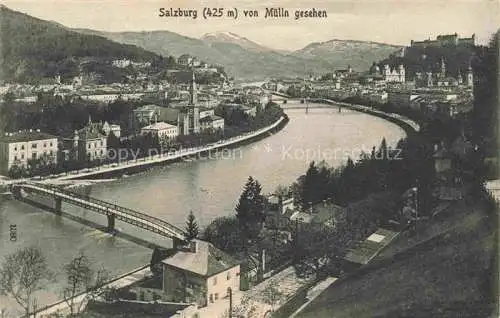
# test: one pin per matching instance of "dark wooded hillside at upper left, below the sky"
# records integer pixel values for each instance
(32, 49)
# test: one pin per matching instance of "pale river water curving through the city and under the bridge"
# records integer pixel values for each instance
(209, 186)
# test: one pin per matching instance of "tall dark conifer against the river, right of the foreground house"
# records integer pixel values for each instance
(250, 210)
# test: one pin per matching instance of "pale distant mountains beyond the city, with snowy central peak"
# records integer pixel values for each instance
(245, 59)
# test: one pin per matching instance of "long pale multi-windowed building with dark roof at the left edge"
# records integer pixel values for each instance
(18, 148)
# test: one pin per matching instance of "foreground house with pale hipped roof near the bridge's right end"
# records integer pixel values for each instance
(199, 273)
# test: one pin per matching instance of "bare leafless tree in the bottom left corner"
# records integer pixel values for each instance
(22, 274)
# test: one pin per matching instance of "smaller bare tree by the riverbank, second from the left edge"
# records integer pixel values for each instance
(81, 277)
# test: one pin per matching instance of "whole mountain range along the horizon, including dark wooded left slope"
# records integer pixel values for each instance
(242, 58)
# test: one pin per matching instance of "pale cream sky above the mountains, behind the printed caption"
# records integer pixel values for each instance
(387, 21)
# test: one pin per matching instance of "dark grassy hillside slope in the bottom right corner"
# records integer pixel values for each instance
(447, 268)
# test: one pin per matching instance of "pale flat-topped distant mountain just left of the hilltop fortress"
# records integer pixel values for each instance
(359, 54)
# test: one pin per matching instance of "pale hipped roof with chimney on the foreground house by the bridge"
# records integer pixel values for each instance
(205, 260)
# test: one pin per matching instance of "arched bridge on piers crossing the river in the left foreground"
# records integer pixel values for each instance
(112, 211)
